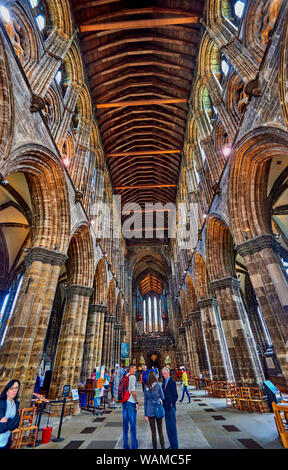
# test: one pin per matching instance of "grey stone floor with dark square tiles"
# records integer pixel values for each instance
(205, 423)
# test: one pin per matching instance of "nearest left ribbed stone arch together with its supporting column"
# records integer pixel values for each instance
(49, 235)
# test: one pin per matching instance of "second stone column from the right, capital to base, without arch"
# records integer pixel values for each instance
(241, 345)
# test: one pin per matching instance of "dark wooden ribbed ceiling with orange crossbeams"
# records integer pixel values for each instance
(140, 58)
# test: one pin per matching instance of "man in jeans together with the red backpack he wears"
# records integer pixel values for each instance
(130, 405)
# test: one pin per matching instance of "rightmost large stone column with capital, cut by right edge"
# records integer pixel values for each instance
(261, 256)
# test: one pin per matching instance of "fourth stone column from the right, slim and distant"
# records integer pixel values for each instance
(200, 344)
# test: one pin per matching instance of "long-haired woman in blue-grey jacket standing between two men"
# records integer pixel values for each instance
(153, 408)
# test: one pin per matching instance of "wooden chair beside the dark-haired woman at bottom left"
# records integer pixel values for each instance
(26, 433)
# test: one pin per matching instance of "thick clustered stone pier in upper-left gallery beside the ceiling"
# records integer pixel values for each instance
(40, 75)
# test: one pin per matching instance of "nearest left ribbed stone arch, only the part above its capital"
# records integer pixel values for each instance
(46, 180)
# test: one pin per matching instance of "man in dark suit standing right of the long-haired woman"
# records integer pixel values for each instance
(169, 403)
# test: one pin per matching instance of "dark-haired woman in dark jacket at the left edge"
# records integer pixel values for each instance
(9, 415)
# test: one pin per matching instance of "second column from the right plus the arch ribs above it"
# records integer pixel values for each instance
(238, 335)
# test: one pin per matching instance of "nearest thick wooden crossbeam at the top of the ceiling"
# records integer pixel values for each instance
(139, 24)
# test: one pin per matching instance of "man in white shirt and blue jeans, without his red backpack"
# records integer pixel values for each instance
(129, 411)
